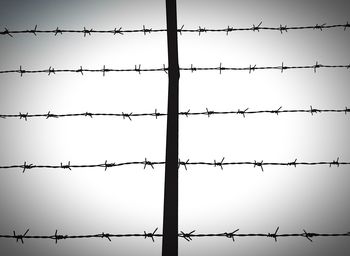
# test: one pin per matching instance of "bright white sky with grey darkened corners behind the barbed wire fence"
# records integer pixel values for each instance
(130, 199)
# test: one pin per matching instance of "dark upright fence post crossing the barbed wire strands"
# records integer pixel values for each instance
(170, 216)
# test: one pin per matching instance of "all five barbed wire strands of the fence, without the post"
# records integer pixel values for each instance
(185, 164)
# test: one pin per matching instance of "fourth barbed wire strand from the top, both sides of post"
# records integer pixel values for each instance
(25, 166)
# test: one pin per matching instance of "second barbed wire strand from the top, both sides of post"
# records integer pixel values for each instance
(138, 69)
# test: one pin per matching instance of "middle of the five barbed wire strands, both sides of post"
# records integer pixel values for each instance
(156, 114)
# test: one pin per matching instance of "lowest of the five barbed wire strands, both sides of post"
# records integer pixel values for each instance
(186, 236)
